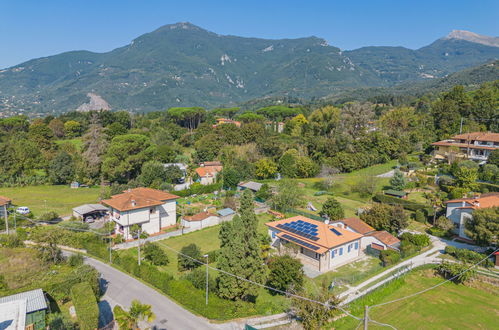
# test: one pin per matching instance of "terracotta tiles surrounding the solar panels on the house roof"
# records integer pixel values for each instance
(327, 238)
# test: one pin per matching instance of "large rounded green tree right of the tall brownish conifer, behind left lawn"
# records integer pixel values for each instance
(125, 156)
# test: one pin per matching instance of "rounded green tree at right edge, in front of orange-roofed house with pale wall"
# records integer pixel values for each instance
(483, 228)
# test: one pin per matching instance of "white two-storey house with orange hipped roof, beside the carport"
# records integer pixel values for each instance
(150, 209)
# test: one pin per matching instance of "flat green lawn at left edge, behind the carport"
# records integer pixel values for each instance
(60, 199)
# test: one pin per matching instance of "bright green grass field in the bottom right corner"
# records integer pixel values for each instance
(449, 306)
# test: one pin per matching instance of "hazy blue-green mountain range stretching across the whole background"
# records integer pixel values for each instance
(184, 65)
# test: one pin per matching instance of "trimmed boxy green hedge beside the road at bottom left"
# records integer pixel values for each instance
(85, 305)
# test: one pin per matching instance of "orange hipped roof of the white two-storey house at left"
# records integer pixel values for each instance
(138, 198)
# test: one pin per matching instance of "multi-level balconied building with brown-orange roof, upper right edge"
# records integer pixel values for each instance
(475, 146)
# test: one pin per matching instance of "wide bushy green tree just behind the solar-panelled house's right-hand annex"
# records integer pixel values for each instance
(386, 217)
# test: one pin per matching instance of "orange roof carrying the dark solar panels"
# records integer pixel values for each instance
(327, 236)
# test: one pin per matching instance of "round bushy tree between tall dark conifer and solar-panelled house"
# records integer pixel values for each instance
(286, 273)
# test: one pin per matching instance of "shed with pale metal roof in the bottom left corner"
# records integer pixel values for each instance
(25, 310)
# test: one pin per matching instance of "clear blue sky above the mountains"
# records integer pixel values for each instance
(35, 28)
